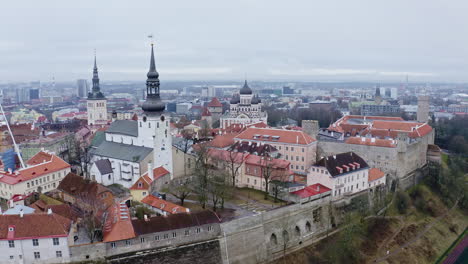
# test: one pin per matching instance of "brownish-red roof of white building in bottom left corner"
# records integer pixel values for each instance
(34, 226)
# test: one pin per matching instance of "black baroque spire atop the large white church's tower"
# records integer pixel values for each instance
(153, 103)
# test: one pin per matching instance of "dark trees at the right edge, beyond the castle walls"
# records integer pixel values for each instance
(452, 134)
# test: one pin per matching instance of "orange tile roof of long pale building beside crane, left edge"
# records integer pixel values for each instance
(53, 165)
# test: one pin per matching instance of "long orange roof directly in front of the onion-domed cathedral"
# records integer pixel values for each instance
(285, 136)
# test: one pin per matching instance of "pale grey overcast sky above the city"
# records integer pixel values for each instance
(214, 40)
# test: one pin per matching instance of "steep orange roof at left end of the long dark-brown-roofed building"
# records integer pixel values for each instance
(118, 225)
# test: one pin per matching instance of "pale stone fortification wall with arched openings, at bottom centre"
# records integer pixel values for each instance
(270, 235)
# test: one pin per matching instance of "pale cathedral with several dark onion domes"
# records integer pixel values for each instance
(244, 108)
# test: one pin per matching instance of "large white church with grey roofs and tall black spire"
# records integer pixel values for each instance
(130, 145)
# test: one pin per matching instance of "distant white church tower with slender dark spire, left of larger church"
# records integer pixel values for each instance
(96, 102)
